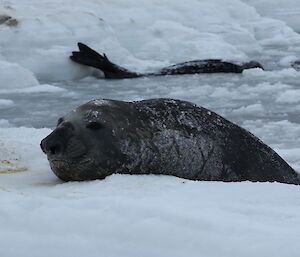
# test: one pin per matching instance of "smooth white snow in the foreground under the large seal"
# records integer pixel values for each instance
(147, 215)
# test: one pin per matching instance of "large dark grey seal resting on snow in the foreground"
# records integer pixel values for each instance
(159, 136)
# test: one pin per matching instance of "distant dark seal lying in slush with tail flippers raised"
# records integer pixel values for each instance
(89, 57)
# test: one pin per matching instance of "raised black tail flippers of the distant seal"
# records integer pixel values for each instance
(89, 57)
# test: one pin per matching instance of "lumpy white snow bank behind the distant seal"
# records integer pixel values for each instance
(141, 35)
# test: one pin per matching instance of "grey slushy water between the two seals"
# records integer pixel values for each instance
(239, 98)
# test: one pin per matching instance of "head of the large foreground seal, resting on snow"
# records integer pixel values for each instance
(78, 148)
